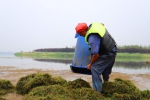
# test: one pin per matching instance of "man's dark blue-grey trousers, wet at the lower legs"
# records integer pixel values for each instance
(103, 66)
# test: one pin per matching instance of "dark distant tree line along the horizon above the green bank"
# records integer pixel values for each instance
(121, 49)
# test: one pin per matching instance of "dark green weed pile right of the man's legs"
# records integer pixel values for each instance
(123, 90)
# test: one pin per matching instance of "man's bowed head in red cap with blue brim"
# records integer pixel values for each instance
(81, 29)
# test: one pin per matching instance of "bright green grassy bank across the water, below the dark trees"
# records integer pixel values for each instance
(121, 57)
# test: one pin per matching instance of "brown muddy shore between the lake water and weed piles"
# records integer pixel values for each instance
(142, 81)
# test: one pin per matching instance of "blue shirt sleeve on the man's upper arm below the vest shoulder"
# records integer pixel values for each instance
(94, 41)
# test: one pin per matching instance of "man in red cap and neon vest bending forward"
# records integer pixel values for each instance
(103, 48)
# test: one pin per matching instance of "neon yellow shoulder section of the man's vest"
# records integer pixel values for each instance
(96, 28)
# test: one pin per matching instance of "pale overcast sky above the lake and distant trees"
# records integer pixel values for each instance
(26, 25)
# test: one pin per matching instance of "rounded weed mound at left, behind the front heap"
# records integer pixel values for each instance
(27, 83)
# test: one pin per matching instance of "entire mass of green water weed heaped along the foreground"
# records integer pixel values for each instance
(40, 86)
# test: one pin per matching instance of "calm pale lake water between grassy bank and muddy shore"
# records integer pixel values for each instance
(8, 59)
